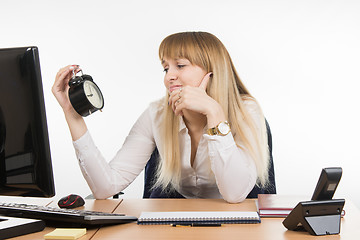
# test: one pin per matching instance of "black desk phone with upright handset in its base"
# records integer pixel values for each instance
(321, 215)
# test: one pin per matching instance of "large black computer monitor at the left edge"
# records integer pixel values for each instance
(25, 161)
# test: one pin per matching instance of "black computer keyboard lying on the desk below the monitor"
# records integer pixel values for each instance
(72, 216)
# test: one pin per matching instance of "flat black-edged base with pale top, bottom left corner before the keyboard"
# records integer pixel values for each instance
(13, 227)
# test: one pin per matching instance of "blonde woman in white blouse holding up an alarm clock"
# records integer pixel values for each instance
(200, 157)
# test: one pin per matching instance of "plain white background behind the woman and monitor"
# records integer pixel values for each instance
(300, 59)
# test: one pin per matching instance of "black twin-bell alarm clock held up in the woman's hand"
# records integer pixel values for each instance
(85, 96)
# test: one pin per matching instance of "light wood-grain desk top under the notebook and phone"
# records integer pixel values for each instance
(270, 228)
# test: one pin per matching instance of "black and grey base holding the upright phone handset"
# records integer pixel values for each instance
(316, 217)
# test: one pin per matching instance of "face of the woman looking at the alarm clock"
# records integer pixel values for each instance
(180, 73)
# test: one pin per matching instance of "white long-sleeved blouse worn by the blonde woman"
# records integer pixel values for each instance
(220, 168)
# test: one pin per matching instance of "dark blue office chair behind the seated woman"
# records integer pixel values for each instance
(150, 169)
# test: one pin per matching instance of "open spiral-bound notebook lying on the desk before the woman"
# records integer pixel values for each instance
(198, 217)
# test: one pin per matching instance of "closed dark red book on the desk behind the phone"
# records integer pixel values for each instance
(274, 205)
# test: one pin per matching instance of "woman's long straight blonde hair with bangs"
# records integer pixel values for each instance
(206, 51)
